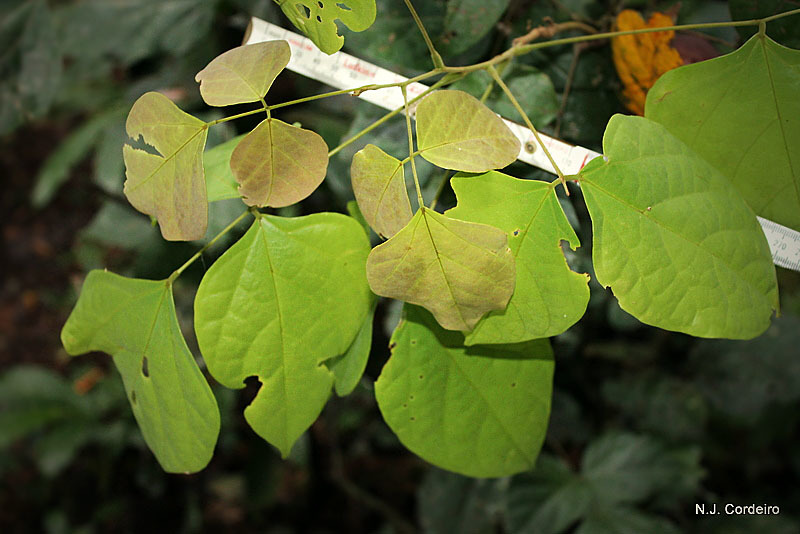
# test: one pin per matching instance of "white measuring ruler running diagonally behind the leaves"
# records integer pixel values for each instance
(344, 71)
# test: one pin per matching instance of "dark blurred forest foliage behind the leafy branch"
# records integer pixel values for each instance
(645, 423)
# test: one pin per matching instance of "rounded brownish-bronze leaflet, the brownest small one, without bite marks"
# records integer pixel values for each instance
(278, 164)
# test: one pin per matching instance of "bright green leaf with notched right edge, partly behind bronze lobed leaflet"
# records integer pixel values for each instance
(548, 297)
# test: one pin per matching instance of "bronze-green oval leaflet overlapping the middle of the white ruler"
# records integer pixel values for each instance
(455, 131)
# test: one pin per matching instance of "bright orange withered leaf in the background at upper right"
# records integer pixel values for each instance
(642, 58)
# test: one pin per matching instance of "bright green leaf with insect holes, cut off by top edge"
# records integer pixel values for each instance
(317, 19)
